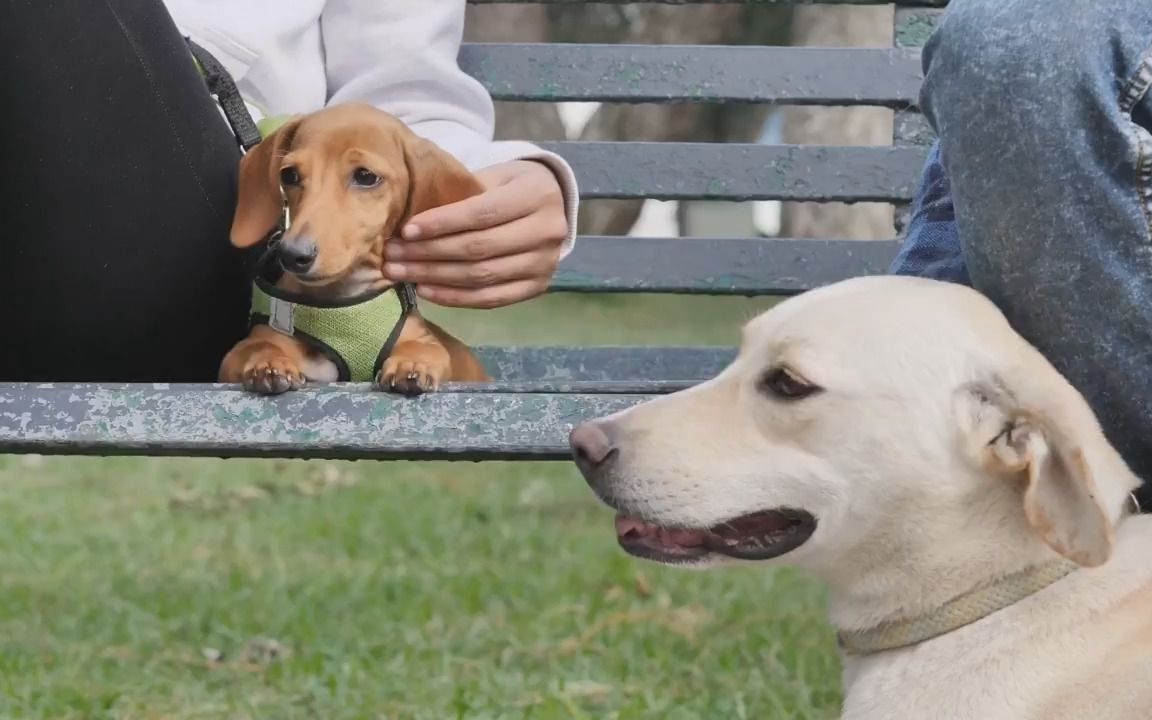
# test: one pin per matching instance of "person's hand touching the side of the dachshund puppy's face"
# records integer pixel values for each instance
(495, 249)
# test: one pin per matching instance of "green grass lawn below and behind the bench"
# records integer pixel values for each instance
(140, 589)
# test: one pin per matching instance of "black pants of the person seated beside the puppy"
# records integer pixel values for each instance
(119, 190)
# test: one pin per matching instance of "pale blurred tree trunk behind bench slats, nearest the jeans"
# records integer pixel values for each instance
(839, 26)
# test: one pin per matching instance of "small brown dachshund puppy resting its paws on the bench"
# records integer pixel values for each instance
(350, 178)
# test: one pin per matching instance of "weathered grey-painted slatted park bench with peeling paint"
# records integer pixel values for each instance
(541, 392)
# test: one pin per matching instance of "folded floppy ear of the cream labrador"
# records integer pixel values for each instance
(1059, 452)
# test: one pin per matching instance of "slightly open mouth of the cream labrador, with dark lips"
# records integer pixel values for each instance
(759, 536)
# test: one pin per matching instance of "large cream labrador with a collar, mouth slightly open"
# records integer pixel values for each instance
(897, 438)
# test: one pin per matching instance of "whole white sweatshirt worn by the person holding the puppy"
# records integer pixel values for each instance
(400, 56)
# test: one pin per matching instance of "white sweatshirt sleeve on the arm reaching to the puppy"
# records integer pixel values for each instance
(401, 57)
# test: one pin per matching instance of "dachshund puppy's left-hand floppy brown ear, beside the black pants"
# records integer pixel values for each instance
(259, 204)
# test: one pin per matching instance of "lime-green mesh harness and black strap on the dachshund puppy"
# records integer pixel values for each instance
(358, 338)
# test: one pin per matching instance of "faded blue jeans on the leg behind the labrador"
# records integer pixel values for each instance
(1040, 191)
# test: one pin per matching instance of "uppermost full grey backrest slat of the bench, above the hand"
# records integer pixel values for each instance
(698, 74)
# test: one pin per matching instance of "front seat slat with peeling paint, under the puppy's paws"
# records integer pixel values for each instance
(334, 423)
